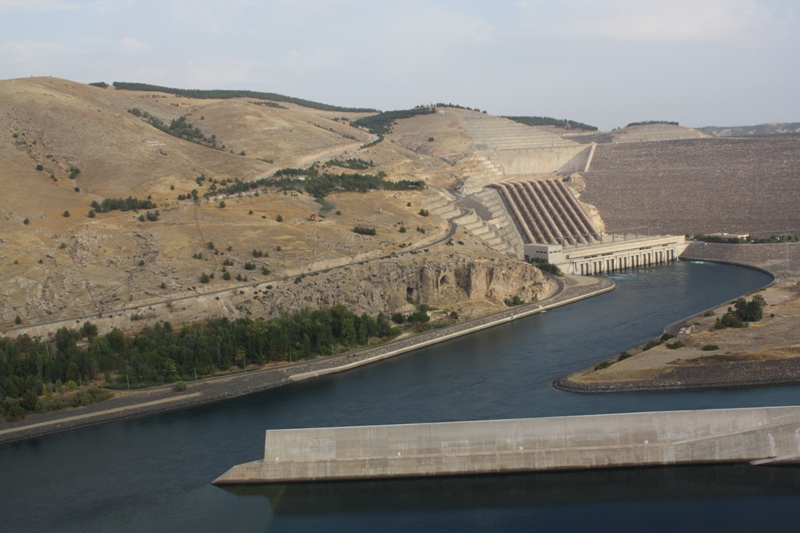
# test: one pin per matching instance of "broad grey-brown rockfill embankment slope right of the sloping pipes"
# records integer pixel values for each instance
(698, 186)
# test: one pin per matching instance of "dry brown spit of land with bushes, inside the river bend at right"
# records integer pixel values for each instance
(701, 357)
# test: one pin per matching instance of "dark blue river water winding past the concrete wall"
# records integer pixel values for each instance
(153, 474)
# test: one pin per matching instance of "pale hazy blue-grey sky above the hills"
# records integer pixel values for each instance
(603, 62)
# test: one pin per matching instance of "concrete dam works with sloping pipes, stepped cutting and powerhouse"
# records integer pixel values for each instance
(520, 194)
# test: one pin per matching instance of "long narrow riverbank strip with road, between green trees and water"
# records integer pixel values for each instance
(137, 404)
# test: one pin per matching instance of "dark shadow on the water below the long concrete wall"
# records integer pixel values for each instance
(526, 490)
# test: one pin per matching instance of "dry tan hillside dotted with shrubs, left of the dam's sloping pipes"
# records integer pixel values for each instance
(55, 267)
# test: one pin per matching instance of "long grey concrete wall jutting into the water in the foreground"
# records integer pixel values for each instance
(755, 435)
